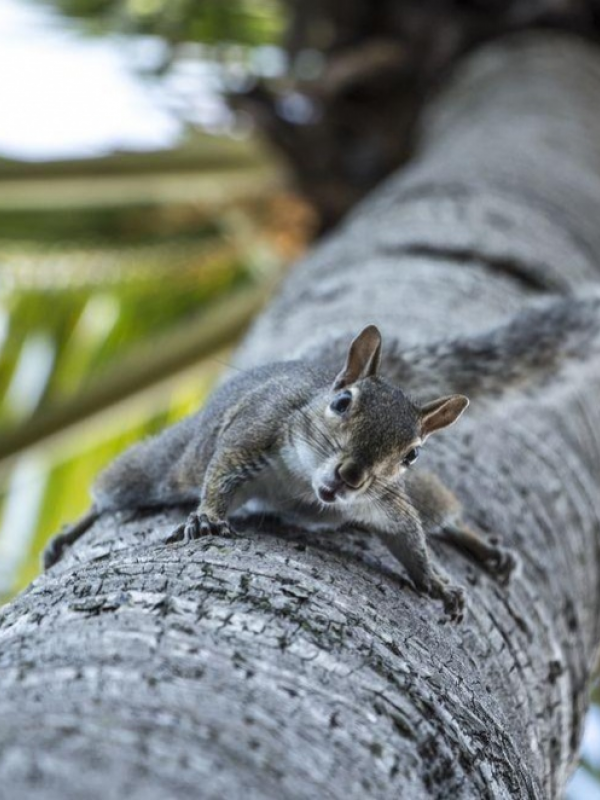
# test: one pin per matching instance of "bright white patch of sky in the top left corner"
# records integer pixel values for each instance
(62, 95)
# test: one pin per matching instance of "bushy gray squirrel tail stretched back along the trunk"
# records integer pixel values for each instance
(532, 347)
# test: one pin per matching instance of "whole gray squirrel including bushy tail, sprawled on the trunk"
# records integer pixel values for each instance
(339, 447)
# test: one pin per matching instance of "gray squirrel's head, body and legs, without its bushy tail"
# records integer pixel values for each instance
(340, 448)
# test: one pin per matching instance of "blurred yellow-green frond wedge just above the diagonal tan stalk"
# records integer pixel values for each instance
(81, 327)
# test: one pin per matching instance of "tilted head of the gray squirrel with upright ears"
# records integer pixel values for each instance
(366, 431)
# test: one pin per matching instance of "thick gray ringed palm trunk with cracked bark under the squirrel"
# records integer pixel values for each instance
(298, 664)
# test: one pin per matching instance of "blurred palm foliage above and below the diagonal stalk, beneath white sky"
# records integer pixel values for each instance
(102, 265)
